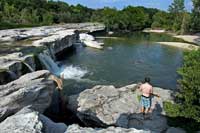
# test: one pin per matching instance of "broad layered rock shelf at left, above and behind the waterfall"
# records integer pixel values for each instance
(19, 46)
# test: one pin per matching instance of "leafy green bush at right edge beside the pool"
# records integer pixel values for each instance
(190, 85)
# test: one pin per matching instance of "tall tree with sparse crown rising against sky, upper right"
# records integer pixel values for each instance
(177, 11)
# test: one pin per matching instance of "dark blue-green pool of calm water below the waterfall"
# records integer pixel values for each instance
(125, 60)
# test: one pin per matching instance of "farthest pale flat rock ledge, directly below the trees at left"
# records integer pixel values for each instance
(44, 31)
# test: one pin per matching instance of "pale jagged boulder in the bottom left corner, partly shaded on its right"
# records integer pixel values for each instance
(30, 121)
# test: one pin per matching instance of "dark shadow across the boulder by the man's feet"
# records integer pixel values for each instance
(151, 121)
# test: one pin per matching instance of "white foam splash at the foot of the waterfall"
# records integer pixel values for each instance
(72, 72)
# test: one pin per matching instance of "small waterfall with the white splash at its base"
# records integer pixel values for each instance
(66, 72)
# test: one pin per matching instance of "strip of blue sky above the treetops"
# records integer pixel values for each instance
(119, 4)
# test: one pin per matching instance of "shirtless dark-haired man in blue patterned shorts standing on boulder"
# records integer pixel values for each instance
(147, 93)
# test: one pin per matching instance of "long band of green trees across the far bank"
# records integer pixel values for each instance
(16, 13)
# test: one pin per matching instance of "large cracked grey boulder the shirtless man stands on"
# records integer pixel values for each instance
(106, 105)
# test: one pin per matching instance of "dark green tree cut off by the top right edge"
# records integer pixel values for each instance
(196, 16)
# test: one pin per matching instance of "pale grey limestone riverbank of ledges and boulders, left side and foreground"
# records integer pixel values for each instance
(27, 89)
